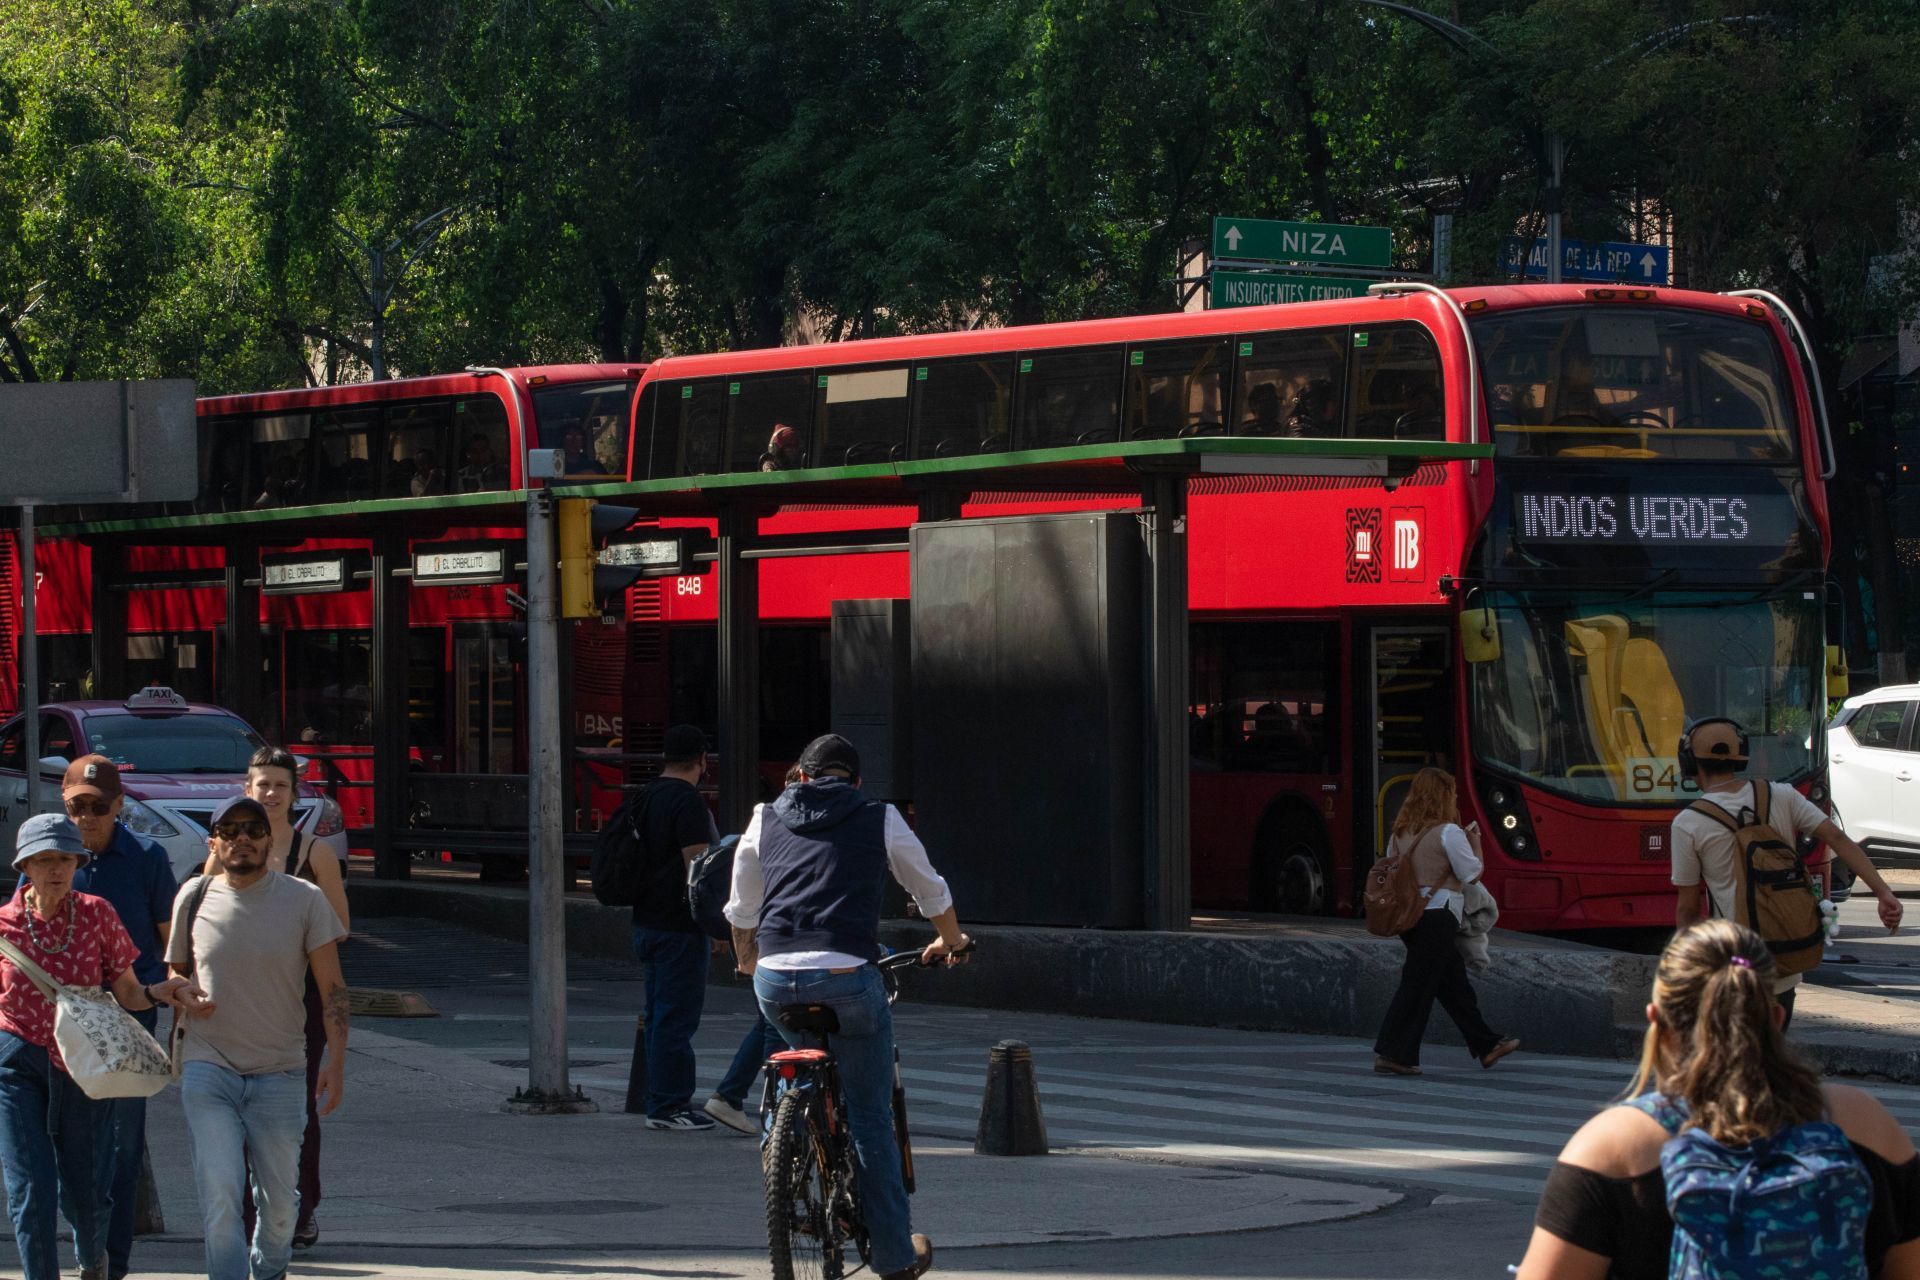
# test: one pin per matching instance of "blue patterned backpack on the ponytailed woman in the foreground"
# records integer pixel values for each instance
(1788, 1208)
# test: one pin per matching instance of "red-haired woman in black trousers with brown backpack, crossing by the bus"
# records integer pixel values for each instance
(1445, 859)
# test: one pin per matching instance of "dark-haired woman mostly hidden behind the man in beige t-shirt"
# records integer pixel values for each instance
(274, 780)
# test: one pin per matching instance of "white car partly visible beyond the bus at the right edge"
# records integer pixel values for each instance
(1873, 751)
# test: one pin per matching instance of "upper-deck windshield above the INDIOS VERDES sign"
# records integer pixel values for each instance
(1635, 383)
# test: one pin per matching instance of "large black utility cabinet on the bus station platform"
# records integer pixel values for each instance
(1028, 719)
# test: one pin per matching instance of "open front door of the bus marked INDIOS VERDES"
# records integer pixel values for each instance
(1412, 719)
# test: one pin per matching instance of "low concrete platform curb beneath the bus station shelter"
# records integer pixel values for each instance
(1320, 978)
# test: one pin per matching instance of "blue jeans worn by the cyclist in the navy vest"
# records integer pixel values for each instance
(863, 1049)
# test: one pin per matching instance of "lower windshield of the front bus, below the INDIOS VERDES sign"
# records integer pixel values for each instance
(1591, 692)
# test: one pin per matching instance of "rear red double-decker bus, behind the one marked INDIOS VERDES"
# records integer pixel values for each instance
(287, 456)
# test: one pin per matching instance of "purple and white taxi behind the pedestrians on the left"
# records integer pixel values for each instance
(178, 763)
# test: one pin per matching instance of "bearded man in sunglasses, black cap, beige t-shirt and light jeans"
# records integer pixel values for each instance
(249, 937)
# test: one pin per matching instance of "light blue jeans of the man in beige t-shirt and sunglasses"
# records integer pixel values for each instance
(229, 1120)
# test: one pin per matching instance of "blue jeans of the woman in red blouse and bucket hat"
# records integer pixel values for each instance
(51, 1137)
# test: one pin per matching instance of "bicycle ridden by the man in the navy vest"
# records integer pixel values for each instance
(813, 1208)
